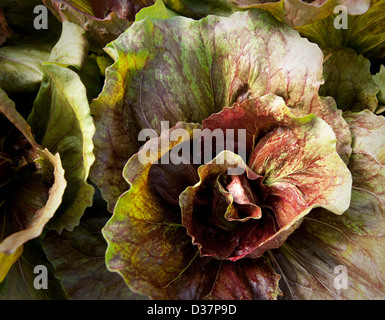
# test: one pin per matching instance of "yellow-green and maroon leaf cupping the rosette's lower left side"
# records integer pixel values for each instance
(167, 265)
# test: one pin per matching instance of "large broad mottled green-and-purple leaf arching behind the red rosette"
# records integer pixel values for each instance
(159, 74)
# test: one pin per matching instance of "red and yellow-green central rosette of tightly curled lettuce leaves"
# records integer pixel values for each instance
(188, 231)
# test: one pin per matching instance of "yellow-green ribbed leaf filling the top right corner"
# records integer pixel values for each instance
(365, 32)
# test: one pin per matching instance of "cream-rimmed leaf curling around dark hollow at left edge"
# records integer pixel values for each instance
(32, 185)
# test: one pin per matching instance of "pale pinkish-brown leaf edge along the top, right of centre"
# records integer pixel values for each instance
(298, 13)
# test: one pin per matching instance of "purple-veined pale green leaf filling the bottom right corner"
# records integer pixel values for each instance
(353, 240)
